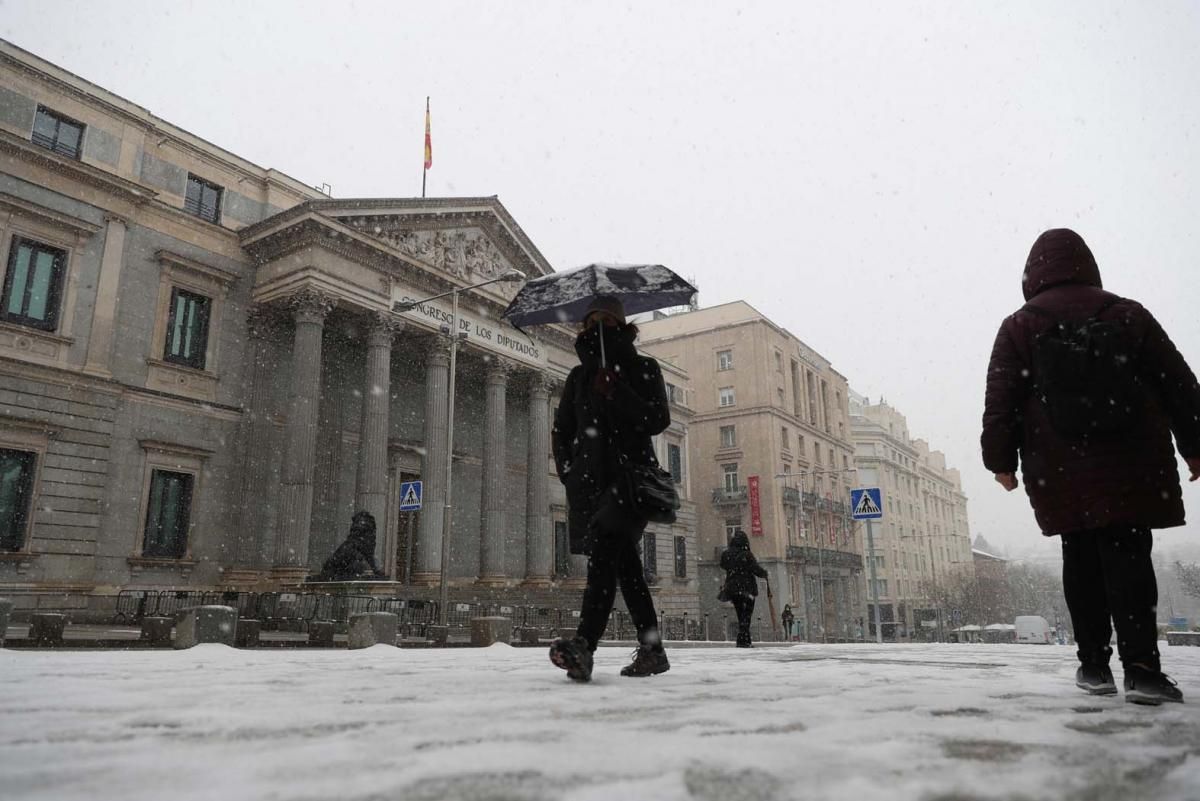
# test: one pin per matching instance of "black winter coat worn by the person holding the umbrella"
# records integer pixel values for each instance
(592, 432)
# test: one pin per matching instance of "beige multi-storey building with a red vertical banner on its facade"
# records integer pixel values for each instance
(771, 450)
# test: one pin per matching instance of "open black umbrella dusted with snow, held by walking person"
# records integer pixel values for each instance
(566, 297)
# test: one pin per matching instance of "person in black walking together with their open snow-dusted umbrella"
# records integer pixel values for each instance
(614, 402)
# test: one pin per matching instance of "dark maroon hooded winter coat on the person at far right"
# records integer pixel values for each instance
(1076, 486)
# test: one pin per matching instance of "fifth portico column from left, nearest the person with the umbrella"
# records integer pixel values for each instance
(539, 532)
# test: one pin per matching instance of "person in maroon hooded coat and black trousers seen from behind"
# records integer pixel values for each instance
(1102, 495)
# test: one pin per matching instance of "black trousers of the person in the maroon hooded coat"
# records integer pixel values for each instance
(1108, 579)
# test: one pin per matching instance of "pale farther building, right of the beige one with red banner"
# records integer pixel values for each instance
(925, 537)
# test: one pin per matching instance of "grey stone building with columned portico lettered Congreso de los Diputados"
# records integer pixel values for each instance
(203, 375)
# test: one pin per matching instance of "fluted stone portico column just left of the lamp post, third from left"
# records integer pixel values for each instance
(428, 561)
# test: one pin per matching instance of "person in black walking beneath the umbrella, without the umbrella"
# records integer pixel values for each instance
(610, 409)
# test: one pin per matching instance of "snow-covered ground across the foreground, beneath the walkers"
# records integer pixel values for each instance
(855, 722)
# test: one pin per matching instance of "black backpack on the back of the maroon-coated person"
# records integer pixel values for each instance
(1085, 374)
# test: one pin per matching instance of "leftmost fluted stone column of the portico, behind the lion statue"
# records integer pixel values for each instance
(309, 309)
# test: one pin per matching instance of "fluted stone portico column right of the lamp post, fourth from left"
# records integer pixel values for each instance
(493, 531)
